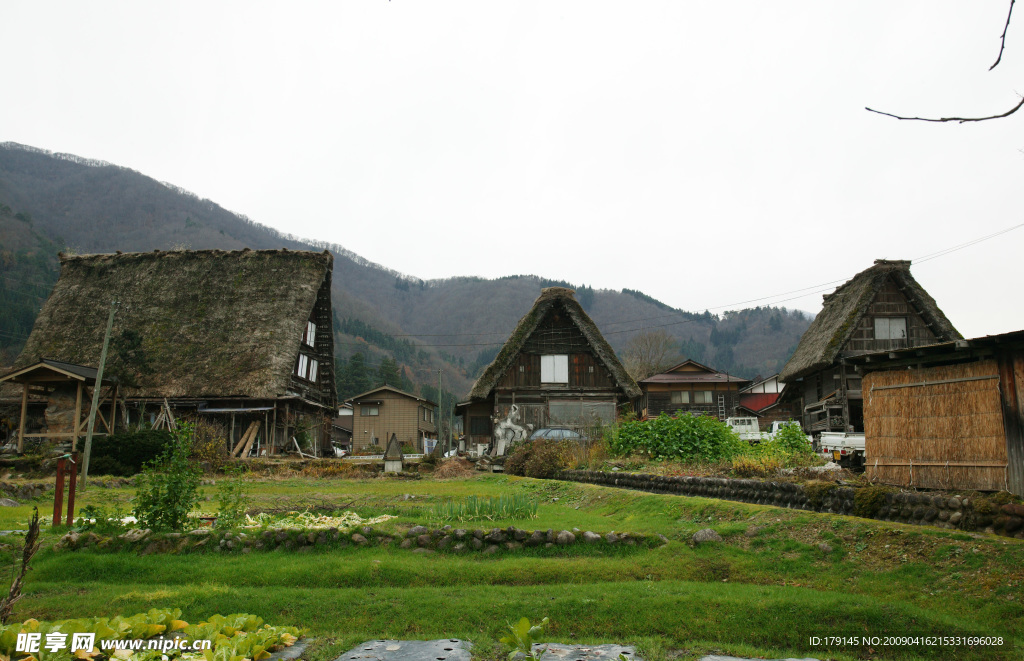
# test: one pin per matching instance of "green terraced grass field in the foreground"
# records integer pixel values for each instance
(764, 592)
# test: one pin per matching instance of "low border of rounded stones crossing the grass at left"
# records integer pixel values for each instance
(418, 540)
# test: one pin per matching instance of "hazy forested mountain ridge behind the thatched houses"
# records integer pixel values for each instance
(402, 325)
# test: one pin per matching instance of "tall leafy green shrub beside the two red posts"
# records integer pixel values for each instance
(168, 487)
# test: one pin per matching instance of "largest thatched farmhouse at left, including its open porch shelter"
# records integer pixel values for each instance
(243, 338)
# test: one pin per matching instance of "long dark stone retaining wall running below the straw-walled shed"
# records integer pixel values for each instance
(983, 513)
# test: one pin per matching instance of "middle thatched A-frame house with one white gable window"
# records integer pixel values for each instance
(556, 370)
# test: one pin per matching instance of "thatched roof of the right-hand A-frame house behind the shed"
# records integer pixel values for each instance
(843, 310)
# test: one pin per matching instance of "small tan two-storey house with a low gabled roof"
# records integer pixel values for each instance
(386, 412)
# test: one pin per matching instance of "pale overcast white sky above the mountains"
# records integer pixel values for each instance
(715, 156)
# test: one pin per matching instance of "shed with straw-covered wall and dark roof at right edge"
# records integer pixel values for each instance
(948, 416)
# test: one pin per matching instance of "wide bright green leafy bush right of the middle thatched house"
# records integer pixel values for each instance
(686, 438)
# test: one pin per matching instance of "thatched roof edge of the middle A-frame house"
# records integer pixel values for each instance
(554, 296)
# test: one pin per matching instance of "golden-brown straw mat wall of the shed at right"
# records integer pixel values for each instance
(937, 435)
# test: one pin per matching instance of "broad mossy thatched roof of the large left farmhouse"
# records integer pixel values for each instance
(189, 324)
